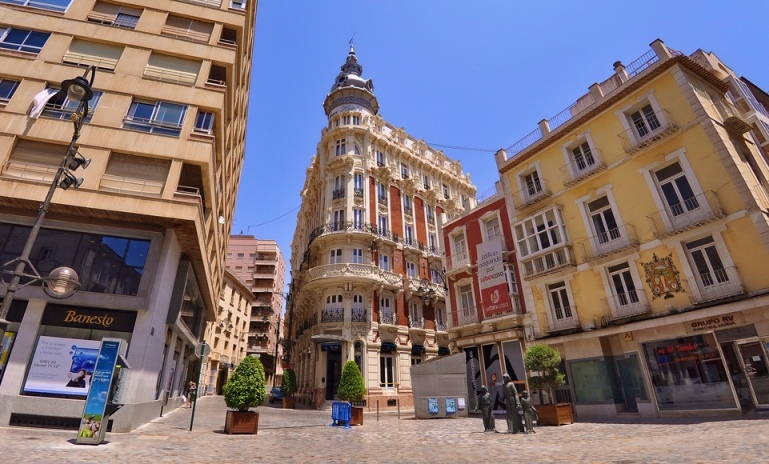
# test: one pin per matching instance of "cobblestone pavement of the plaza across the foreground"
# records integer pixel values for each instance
(302, 435)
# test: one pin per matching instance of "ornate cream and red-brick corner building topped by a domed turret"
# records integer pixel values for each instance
(367, 274)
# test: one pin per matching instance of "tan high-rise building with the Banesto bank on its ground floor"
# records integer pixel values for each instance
(147, 229)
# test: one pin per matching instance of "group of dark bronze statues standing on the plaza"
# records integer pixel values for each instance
(512, 405)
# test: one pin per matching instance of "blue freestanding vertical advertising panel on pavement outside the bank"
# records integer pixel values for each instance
(90, 432)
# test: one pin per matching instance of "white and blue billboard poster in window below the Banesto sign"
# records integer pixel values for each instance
(62, 366)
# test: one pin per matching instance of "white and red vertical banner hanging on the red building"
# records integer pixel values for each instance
(491, 278)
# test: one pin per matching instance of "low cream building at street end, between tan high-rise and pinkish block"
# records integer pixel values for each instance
(227, 335)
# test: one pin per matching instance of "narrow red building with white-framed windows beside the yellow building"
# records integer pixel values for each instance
(487, 316)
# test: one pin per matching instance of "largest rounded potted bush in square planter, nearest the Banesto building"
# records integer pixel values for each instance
(246, 389)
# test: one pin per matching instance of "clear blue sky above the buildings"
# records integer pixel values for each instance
(476, 74)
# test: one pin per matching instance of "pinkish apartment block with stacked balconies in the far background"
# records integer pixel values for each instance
(261, 266)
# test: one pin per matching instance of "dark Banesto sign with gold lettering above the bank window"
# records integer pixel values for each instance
(89, 318)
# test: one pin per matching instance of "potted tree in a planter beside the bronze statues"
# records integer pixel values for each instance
(543, 364)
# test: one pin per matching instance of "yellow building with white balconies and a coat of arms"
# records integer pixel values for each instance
(639, 219)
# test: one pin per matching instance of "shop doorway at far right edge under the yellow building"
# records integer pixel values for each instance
(747, 364)
